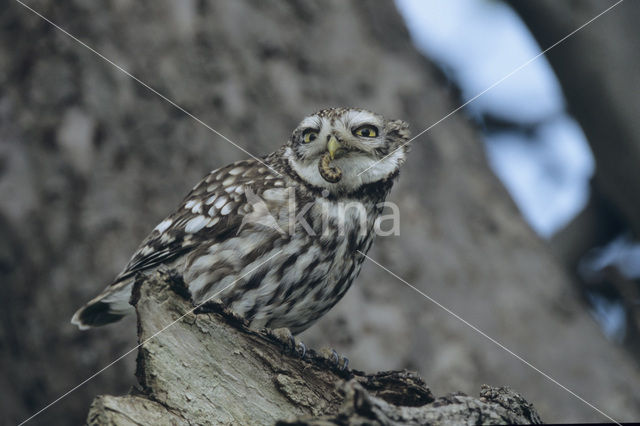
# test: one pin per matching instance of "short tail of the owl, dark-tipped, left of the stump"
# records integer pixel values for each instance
(109, 306)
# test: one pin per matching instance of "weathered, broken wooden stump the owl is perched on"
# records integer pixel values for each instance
(207, 367)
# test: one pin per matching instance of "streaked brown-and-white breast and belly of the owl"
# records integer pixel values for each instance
(288, 280)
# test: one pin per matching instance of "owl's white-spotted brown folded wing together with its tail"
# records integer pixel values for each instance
(216, 209)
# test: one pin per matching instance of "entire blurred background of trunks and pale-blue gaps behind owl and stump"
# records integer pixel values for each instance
(520, 212)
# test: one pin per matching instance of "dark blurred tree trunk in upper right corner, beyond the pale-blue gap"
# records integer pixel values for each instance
(598, 71)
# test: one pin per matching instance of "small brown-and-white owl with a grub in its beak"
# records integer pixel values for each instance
(276, 239)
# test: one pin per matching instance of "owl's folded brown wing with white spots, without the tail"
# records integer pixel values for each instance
(213, 210)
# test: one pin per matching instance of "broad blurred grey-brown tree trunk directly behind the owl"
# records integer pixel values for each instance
(90, 162)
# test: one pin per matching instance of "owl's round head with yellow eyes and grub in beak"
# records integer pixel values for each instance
(341, 149)
